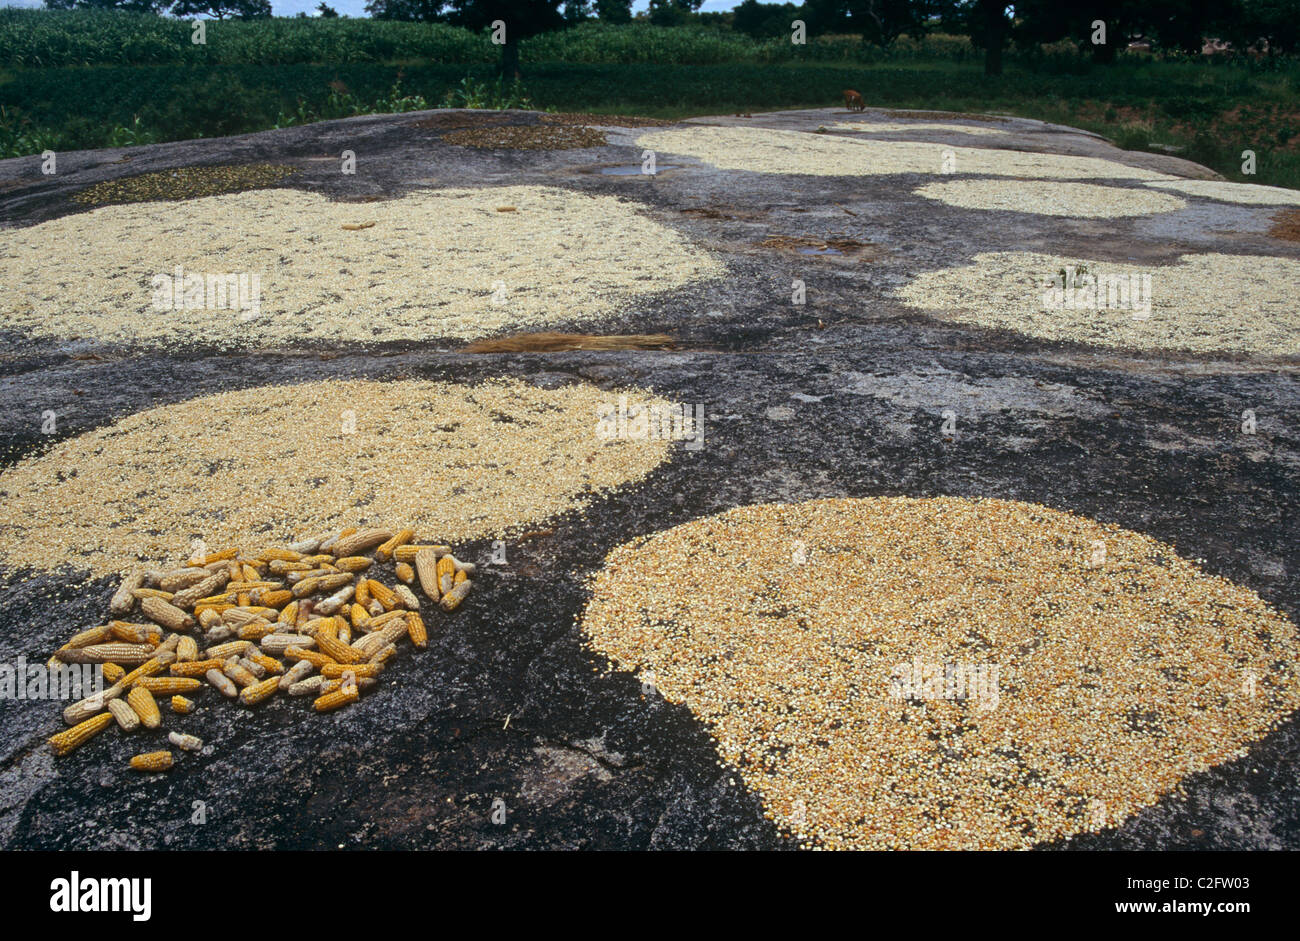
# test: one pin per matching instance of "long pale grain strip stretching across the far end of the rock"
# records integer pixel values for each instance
(798, 153)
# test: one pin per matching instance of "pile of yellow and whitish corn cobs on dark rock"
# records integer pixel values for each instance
(237, 621)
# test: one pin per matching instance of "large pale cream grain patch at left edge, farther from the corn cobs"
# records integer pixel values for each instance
(432, 264)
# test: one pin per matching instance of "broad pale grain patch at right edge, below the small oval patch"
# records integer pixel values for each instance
(1206, 303)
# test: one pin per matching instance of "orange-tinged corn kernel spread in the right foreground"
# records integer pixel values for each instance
(904, 674)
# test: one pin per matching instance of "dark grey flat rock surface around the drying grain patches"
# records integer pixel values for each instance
(842, 397)
